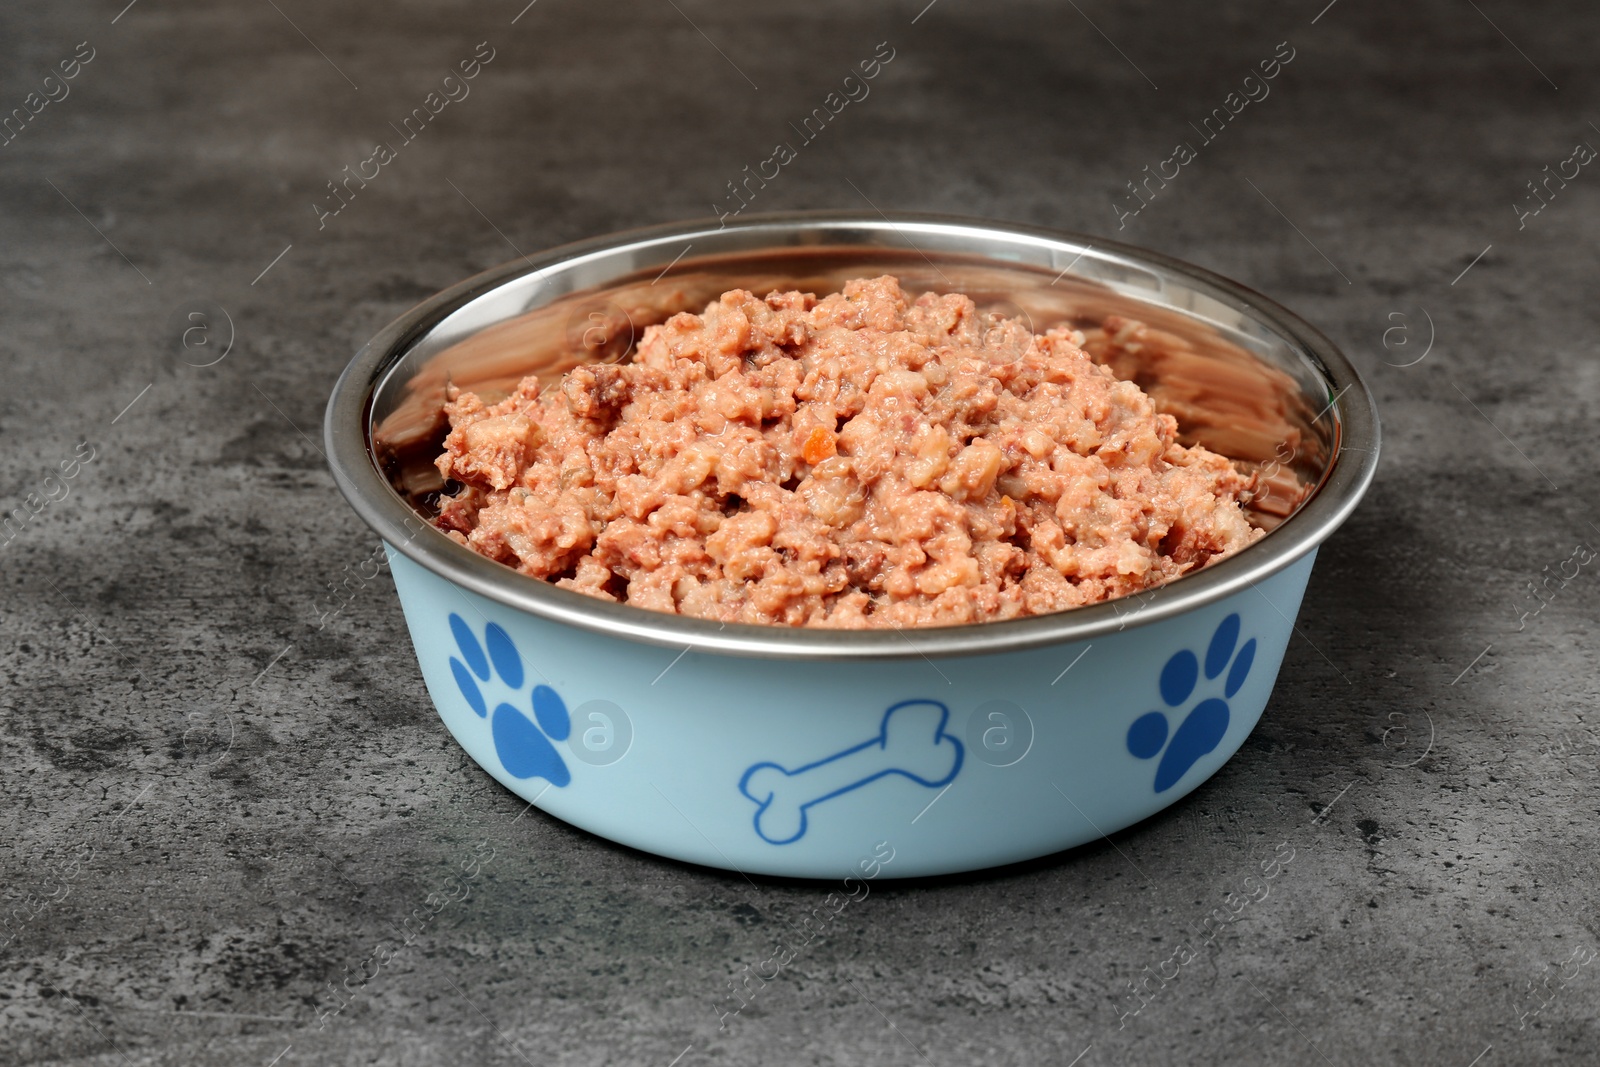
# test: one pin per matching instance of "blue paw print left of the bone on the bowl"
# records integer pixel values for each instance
(524, 748)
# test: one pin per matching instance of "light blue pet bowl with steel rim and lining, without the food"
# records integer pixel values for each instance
(831, 754)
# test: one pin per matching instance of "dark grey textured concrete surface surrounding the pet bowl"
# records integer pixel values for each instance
(215, 809)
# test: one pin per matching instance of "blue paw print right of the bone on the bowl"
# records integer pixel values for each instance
(1207, 722)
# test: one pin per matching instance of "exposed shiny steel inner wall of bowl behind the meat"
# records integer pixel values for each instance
(1234, 383)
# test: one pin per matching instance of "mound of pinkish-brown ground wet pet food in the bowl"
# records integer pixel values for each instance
(854, 462)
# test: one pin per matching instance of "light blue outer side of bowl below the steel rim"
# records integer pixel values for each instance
(1047, 769)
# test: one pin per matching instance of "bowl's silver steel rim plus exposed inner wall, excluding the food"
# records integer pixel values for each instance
(1241, 375)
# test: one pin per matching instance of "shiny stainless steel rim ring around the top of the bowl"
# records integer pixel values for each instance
(348, 438)
